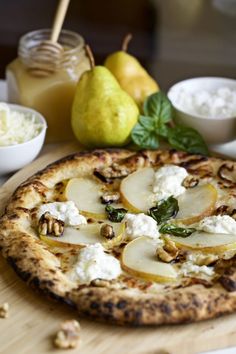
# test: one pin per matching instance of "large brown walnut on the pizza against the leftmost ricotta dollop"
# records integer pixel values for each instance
(48, 225)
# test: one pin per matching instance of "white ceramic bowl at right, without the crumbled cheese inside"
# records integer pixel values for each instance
(214, 130)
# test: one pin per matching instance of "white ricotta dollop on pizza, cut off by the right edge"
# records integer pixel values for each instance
(219, 224)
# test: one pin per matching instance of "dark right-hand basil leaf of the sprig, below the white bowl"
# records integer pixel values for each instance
(187, 139)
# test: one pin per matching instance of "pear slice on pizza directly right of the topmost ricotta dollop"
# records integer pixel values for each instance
(196, 203)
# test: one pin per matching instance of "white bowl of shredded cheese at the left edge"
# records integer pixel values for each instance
(22, 134)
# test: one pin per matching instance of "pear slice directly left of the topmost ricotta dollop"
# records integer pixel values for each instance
(136, 190)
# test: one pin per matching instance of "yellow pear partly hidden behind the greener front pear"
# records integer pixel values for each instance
(132, 77)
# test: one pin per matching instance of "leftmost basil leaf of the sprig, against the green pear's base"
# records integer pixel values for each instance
(144, 138)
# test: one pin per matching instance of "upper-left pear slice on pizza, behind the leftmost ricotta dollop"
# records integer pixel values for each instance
(86, 193)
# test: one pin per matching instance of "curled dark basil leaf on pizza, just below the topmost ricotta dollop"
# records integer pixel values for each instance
(164, 210)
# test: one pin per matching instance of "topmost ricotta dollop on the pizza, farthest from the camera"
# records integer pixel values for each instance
(168, 182)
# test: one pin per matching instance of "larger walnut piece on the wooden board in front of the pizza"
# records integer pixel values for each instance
(68, 336)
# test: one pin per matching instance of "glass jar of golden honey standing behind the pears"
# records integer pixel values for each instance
(50, 94)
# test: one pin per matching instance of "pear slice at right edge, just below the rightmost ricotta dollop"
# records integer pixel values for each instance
(206, 242)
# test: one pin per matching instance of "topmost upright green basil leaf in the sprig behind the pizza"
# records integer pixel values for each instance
(158, 106)
